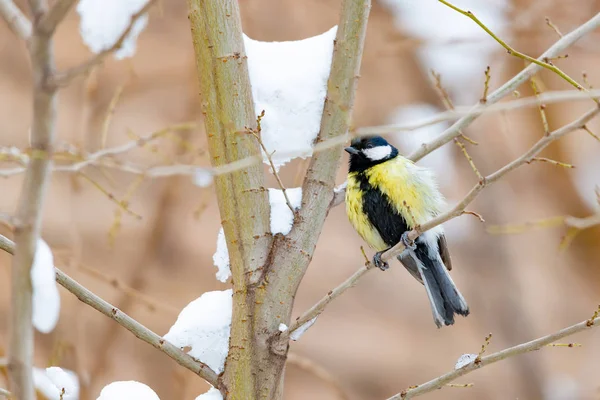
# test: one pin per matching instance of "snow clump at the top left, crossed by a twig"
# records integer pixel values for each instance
(104, 21)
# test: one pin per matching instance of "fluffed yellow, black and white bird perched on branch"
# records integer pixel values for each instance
(387, 196)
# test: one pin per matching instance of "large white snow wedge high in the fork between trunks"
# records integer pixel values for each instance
(289, 82)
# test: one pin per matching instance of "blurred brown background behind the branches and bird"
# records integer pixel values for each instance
(379, 337)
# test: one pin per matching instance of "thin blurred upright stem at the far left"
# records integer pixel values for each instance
(29, 212)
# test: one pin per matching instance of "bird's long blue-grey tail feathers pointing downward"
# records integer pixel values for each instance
(443, 294)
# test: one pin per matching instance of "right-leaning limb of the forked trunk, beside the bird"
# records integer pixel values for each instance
(294, 251)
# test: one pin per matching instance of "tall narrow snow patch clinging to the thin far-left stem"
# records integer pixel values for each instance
(46, 299)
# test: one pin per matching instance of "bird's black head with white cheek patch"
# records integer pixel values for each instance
(368, 151)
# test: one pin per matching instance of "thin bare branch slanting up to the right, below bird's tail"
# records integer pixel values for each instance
(492, 358)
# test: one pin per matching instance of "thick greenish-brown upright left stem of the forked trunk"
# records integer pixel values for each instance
(228, 109)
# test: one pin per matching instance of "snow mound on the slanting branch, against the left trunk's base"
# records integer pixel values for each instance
(204, 326)
